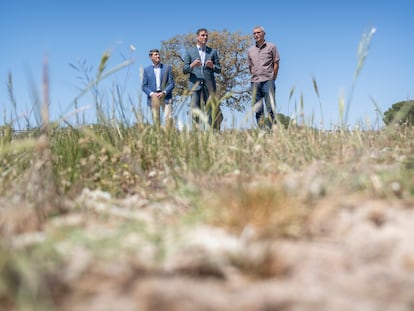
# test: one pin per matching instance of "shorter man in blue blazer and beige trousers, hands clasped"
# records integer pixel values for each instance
(158, 83)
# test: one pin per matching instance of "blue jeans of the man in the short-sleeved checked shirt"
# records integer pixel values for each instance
(266, 91)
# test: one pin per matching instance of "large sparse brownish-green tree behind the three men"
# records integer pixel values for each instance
(233, 84)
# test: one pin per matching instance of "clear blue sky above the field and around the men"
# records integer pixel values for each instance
(316, 39)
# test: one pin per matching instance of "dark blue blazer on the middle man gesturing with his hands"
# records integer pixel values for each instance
(201, 73)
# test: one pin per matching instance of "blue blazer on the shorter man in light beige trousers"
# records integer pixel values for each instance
(149, 82)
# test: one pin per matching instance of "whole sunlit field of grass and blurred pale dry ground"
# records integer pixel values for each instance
(119, 216)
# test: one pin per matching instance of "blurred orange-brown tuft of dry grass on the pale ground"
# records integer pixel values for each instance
(260, 205)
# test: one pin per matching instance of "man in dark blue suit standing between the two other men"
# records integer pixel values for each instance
(201, 63)
